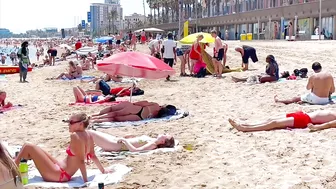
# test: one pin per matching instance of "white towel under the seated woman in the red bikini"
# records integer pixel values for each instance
(94, 177)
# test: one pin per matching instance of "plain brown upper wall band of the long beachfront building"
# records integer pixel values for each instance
(305, 10)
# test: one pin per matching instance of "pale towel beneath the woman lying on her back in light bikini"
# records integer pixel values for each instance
(124, 154)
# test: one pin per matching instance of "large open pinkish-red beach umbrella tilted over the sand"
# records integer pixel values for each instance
(135, 65)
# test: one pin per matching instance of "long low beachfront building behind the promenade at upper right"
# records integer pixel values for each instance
(263, 18)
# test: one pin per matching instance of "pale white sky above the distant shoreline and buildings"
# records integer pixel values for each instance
(21, 15)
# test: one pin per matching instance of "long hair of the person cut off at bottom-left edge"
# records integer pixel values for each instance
(7, 162)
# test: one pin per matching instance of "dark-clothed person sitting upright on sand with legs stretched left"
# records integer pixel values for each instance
(272, 72)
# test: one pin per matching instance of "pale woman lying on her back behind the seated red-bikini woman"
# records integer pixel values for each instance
(131, 143)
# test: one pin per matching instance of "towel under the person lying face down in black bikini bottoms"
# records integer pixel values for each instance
(179, 115)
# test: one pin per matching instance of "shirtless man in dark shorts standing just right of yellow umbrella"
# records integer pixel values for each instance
(218, 54)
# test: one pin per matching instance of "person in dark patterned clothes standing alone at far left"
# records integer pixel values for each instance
(24, 61)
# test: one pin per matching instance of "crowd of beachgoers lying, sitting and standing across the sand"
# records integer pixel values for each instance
(82, 141)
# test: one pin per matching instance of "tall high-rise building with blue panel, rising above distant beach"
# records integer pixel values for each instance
(106, 18)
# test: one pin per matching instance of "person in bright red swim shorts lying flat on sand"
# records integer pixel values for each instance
(318, 120)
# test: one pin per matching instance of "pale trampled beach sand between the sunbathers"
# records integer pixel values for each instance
(221, 156)
